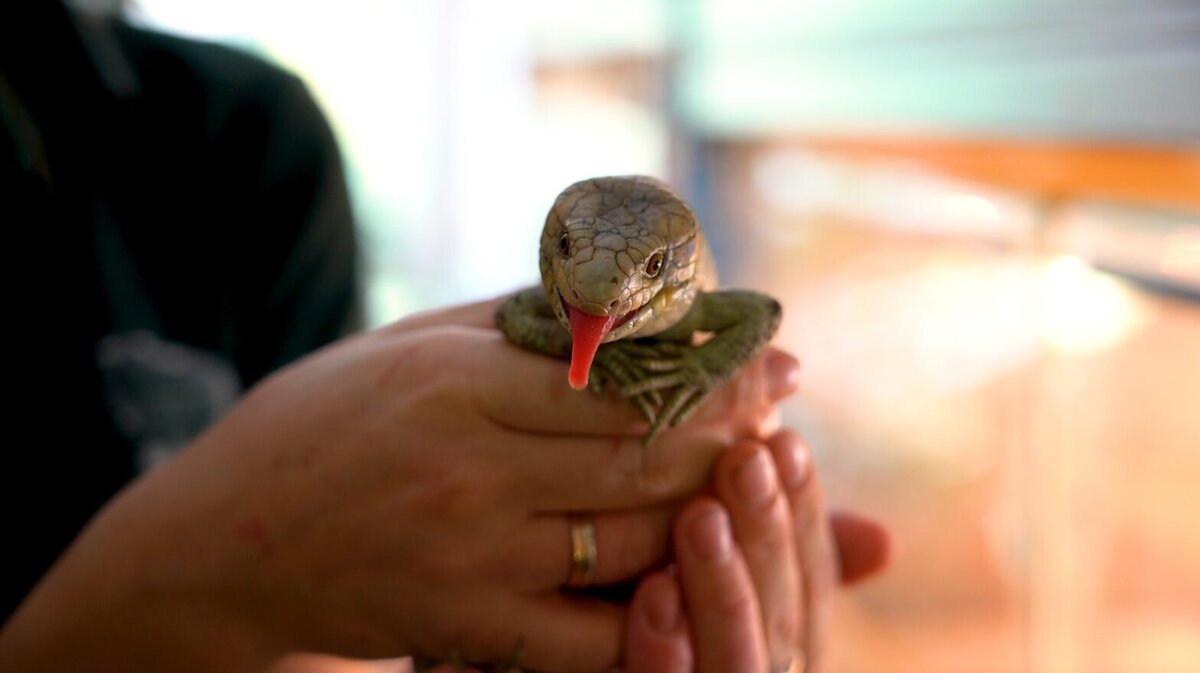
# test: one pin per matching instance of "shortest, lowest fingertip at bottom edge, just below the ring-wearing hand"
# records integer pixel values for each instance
(657, 634)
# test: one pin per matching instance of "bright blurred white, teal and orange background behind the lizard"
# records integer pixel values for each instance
(982, 217)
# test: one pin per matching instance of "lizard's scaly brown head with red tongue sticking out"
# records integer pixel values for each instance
(619, 261)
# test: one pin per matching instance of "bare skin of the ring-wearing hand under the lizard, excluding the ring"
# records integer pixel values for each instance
(401, 492)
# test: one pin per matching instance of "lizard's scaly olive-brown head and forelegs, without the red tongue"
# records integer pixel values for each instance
(598, 251)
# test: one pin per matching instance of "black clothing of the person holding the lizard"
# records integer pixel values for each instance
(177, 227)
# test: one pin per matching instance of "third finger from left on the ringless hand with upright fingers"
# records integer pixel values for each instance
(763, 526)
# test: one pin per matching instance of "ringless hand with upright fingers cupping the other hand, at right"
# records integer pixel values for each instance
(757, 603)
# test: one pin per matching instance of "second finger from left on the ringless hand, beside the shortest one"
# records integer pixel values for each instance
(723, 609)
